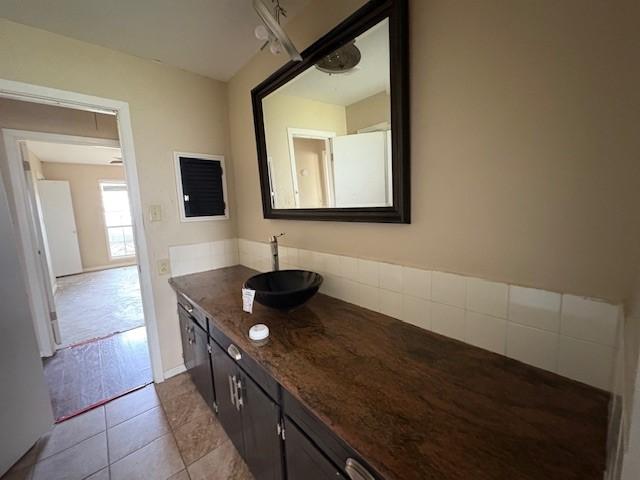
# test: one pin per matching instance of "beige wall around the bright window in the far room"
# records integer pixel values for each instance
(84, 181)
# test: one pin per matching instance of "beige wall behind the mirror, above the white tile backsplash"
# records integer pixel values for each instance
(524, 145)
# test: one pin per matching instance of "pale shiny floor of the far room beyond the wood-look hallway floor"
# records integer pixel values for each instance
(96, 304)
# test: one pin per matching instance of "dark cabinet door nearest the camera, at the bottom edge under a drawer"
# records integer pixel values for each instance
(304, 460)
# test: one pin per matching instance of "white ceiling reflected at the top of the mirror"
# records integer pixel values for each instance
(370, 76)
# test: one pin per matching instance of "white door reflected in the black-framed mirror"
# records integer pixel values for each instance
(360, 169)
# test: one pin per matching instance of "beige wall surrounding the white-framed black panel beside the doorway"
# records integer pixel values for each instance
(170, 110)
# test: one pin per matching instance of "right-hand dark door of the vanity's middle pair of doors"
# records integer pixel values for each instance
(263, 446)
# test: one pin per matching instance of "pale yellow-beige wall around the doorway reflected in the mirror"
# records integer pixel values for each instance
(285, 111)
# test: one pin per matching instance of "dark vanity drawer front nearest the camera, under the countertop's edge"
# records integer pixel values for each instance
(332, 446)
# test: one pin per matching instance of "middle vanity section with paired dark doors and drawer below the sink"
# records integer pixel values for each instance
(248, 415)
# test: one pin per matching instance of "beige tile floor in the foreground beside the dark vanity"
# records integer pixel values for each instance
(160, 432)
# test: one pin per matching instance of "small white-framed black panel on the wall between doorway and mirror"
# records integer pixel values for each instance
(202, 191)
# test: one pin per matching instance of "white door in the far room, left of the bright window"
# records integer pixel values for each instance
(60, 226)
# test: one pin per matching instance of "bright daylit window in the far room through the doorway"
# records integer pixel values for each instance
(117, 219)
